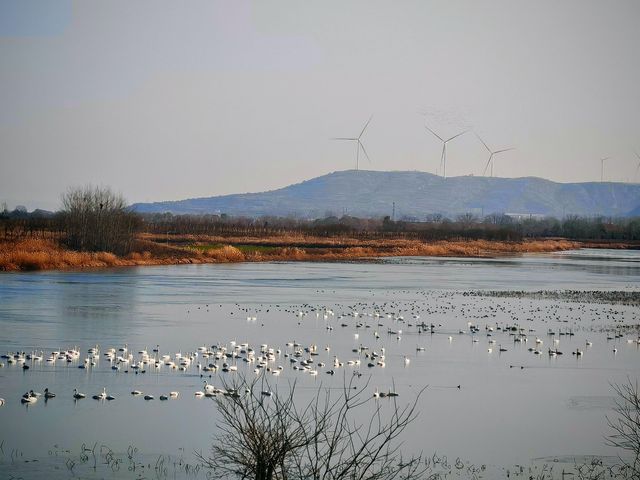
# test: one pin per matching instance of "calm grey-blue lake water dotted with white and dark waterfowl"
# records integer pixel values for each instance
(512, 407)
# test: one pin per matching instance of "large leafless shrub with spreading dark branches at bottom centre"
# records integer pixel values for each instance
(265, 435)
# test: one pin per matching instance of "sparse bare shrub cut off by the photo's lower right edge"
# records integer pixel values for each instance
(626, 427)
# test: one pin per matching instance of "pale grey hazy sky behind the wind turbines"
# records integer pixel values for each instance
(164, 100)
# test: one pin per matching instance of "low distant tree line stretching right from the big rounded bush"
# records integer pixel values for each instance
(437, 227)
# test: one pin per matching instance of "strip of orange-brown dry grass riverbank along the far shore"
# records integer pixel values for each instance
(44, 254)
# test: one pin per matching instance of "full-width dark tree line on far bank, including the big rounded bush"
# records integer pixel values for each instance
(97, 219)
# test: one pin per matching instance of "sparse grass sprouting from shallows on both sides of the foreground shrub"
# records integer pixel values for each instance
(97, 461)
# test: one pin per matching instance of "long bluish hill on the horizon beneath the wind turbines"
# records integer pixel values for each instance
(417, 194)
